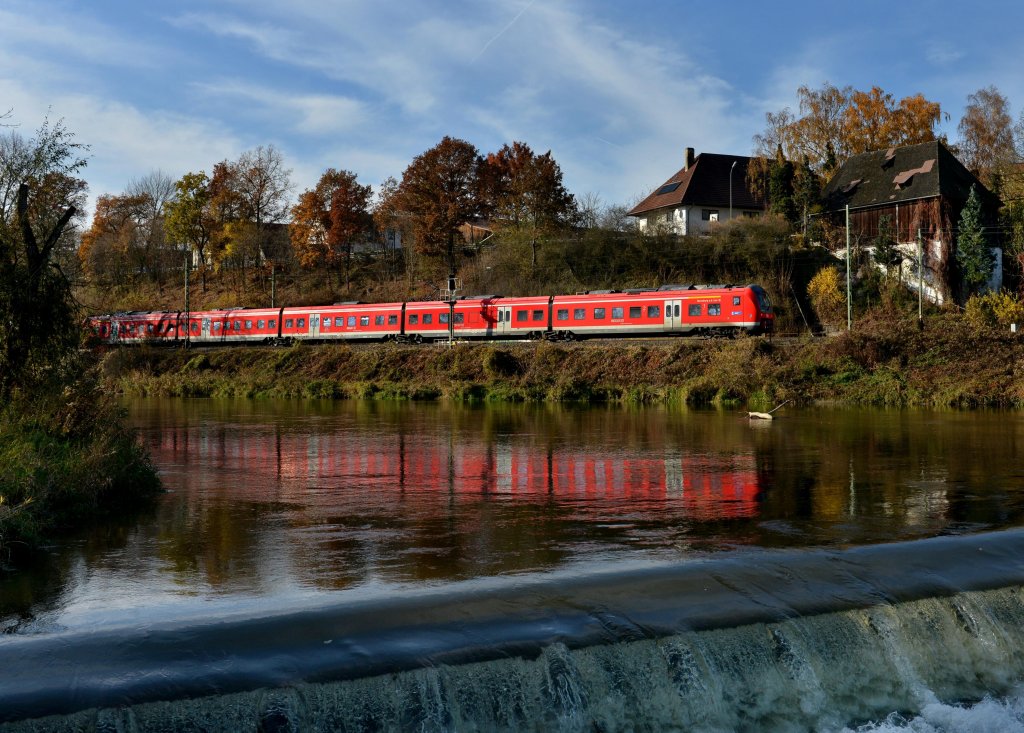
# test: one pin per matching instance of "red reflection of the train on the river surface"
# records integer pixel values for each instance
(701, 486)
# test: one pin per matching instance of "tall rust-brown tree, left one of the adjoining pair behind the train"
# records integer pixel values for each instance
(440, 192)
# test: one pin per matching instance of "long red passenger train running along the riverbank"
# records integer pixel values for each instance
(687, 310)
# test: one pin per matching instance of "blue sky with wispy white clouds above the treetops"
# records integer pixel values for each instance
(616, 91)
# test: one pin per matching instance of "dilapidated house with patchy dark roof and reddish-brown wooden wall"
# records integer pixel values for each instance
(916, 189)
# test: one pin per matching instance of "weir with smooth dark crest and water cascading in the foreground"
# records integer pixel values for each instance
(756, 641)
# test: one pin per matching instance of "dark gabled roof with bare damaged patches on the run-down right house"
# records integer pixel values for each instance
(900, 175)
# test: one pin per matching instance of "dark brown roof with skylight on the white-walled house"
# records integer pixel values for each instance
(705, 183)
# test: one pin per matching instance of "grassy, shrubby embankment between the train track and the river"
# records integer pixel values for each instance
(886, 362)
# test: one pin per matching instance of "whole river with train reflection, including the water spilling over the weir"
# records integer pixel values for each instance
(370, 566)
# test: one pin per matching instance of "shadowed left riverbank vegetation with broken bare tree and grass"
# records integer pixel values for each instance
(66, 455)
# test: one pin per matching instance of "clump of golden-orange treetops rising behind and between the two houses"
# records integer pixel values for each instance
(835, 123)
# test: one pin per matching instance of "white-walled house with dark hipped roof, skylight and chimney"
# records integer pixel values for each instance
(709, 189)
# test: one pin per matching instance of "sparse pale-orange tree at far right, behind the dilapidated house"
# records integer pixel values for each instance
(987, 143)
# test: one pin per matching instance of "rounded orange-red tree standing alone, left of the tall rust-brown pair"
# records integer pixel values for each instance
(329, 220)
